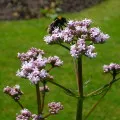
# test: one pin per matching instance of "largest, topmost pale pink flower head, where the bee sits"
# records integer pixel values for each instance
(73, 32)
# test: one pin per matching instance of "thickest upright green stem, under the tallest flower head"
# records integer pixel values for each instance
(80, 89)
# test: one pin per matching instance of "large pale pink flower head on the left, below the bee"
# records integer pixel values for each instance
(33, 65)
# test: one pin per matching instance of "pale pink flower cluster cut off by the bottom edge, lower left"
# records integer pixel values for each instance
(25, 114)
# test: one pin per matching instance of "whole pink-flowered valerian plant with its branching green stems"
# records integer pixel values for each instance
(79, 38)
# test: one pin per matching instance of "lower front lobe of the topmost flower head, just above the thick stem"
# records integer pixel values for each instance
(81, 48)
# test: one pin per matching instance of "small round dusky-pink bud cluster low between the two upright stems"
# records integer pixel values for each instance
(55, 107)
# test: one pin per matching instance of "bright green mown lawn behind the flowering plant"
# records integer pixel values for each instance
(19, 36)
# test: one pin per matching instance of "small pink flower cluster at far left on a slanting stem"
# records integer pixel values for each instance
(14, 92)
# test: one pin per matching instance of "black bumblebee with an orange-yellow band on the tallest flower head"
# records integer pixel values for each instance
(59, 22)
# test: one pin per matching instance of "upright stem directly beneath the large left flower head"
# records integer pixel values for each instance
(38, 98)
